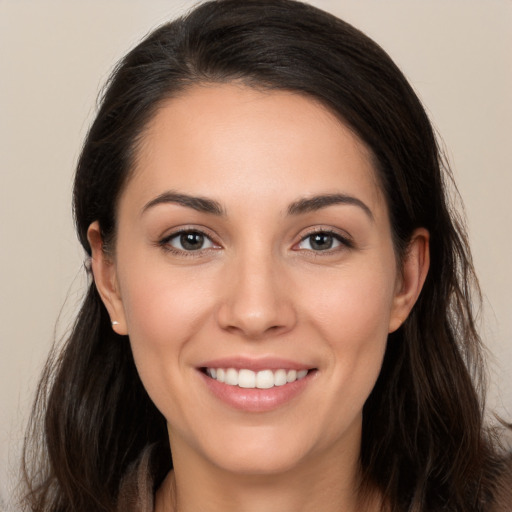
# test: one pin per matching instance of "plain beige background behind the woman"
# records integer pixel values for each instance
(55, 55)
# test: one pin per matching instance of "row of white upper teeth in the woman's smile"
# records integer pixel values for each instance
(264, 379)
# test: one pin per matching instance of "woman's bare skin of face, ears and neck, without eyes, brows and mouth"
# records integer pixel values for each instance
(258, 288)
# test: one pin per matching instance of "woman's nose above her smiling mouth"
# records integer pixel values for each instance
(257, 300)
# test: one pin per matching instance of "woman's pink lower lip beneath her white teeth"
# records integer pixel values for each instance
(257, 400)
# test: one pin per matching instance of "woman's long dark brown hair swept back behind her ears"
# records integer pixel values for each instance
(425, 446)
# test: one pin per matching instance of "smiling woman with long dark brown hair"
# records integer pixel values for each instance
(280, 296)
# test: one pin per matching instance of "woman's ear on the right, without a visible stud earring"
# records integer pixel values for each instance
(410, 281)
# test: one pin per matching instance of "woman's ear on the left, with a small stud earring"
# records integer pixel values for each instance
(105, 279)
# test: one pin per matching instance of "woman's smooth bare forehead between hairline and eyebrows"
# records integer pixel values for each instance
(230, 140)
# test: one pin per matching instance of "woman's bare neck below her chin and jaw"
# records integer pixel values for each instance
(329, 482)
